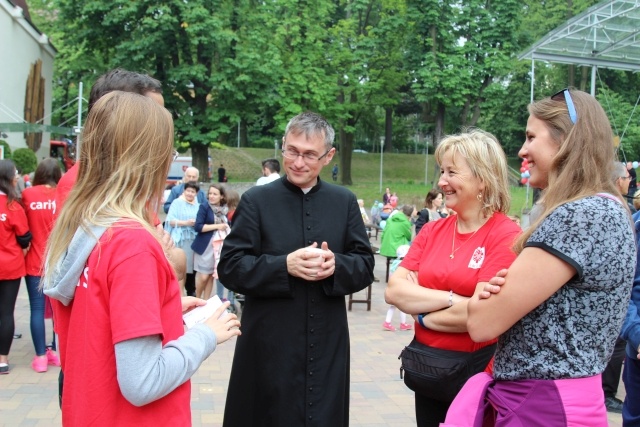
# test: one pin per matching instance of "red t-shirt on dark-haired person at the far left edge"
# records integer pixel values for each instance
(13, 222)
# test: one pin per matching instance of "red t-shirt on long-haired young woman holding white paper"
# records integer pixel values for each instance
(128, 290)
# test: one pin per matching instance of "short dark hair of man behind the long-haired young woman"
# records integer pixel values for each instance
(126, 81)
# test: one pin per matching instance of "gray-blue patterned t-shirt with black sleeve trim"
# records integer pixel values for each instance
(571, 335)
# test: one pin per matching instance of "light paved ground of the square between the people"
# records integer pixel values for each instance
(378, 396)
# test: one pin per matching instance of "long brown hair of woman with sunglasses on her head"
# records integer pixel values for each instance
(582, 166)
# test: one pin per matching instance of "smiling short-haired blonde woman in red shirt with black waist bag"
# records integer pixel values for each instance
(447, 261)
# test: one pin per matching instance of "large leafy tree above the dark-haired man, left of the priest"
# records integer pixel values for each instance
(192, 47)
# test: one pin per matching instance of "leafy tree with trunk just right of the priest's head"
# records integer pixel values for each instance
(366, 53)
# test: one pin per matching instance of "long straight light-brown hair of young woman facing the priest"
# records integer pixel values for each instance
(127, 147)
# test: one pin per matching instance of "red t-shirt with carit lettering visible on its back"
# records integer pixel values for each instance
(40, 205)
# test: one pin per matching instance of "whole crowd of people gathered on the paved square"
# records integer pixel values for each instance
(496, 337)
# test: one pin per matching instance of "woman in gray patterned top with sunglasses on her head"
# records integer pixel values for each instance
(558, 309)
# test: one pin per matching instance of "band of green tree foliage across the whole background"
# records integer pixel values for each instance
(241, 67)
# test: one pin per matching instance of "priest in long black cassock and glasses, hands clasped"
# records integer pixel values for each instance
(291, 363)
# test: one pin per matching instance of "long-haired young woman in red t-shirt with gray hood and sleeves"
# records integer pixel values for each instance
(117, 305)
